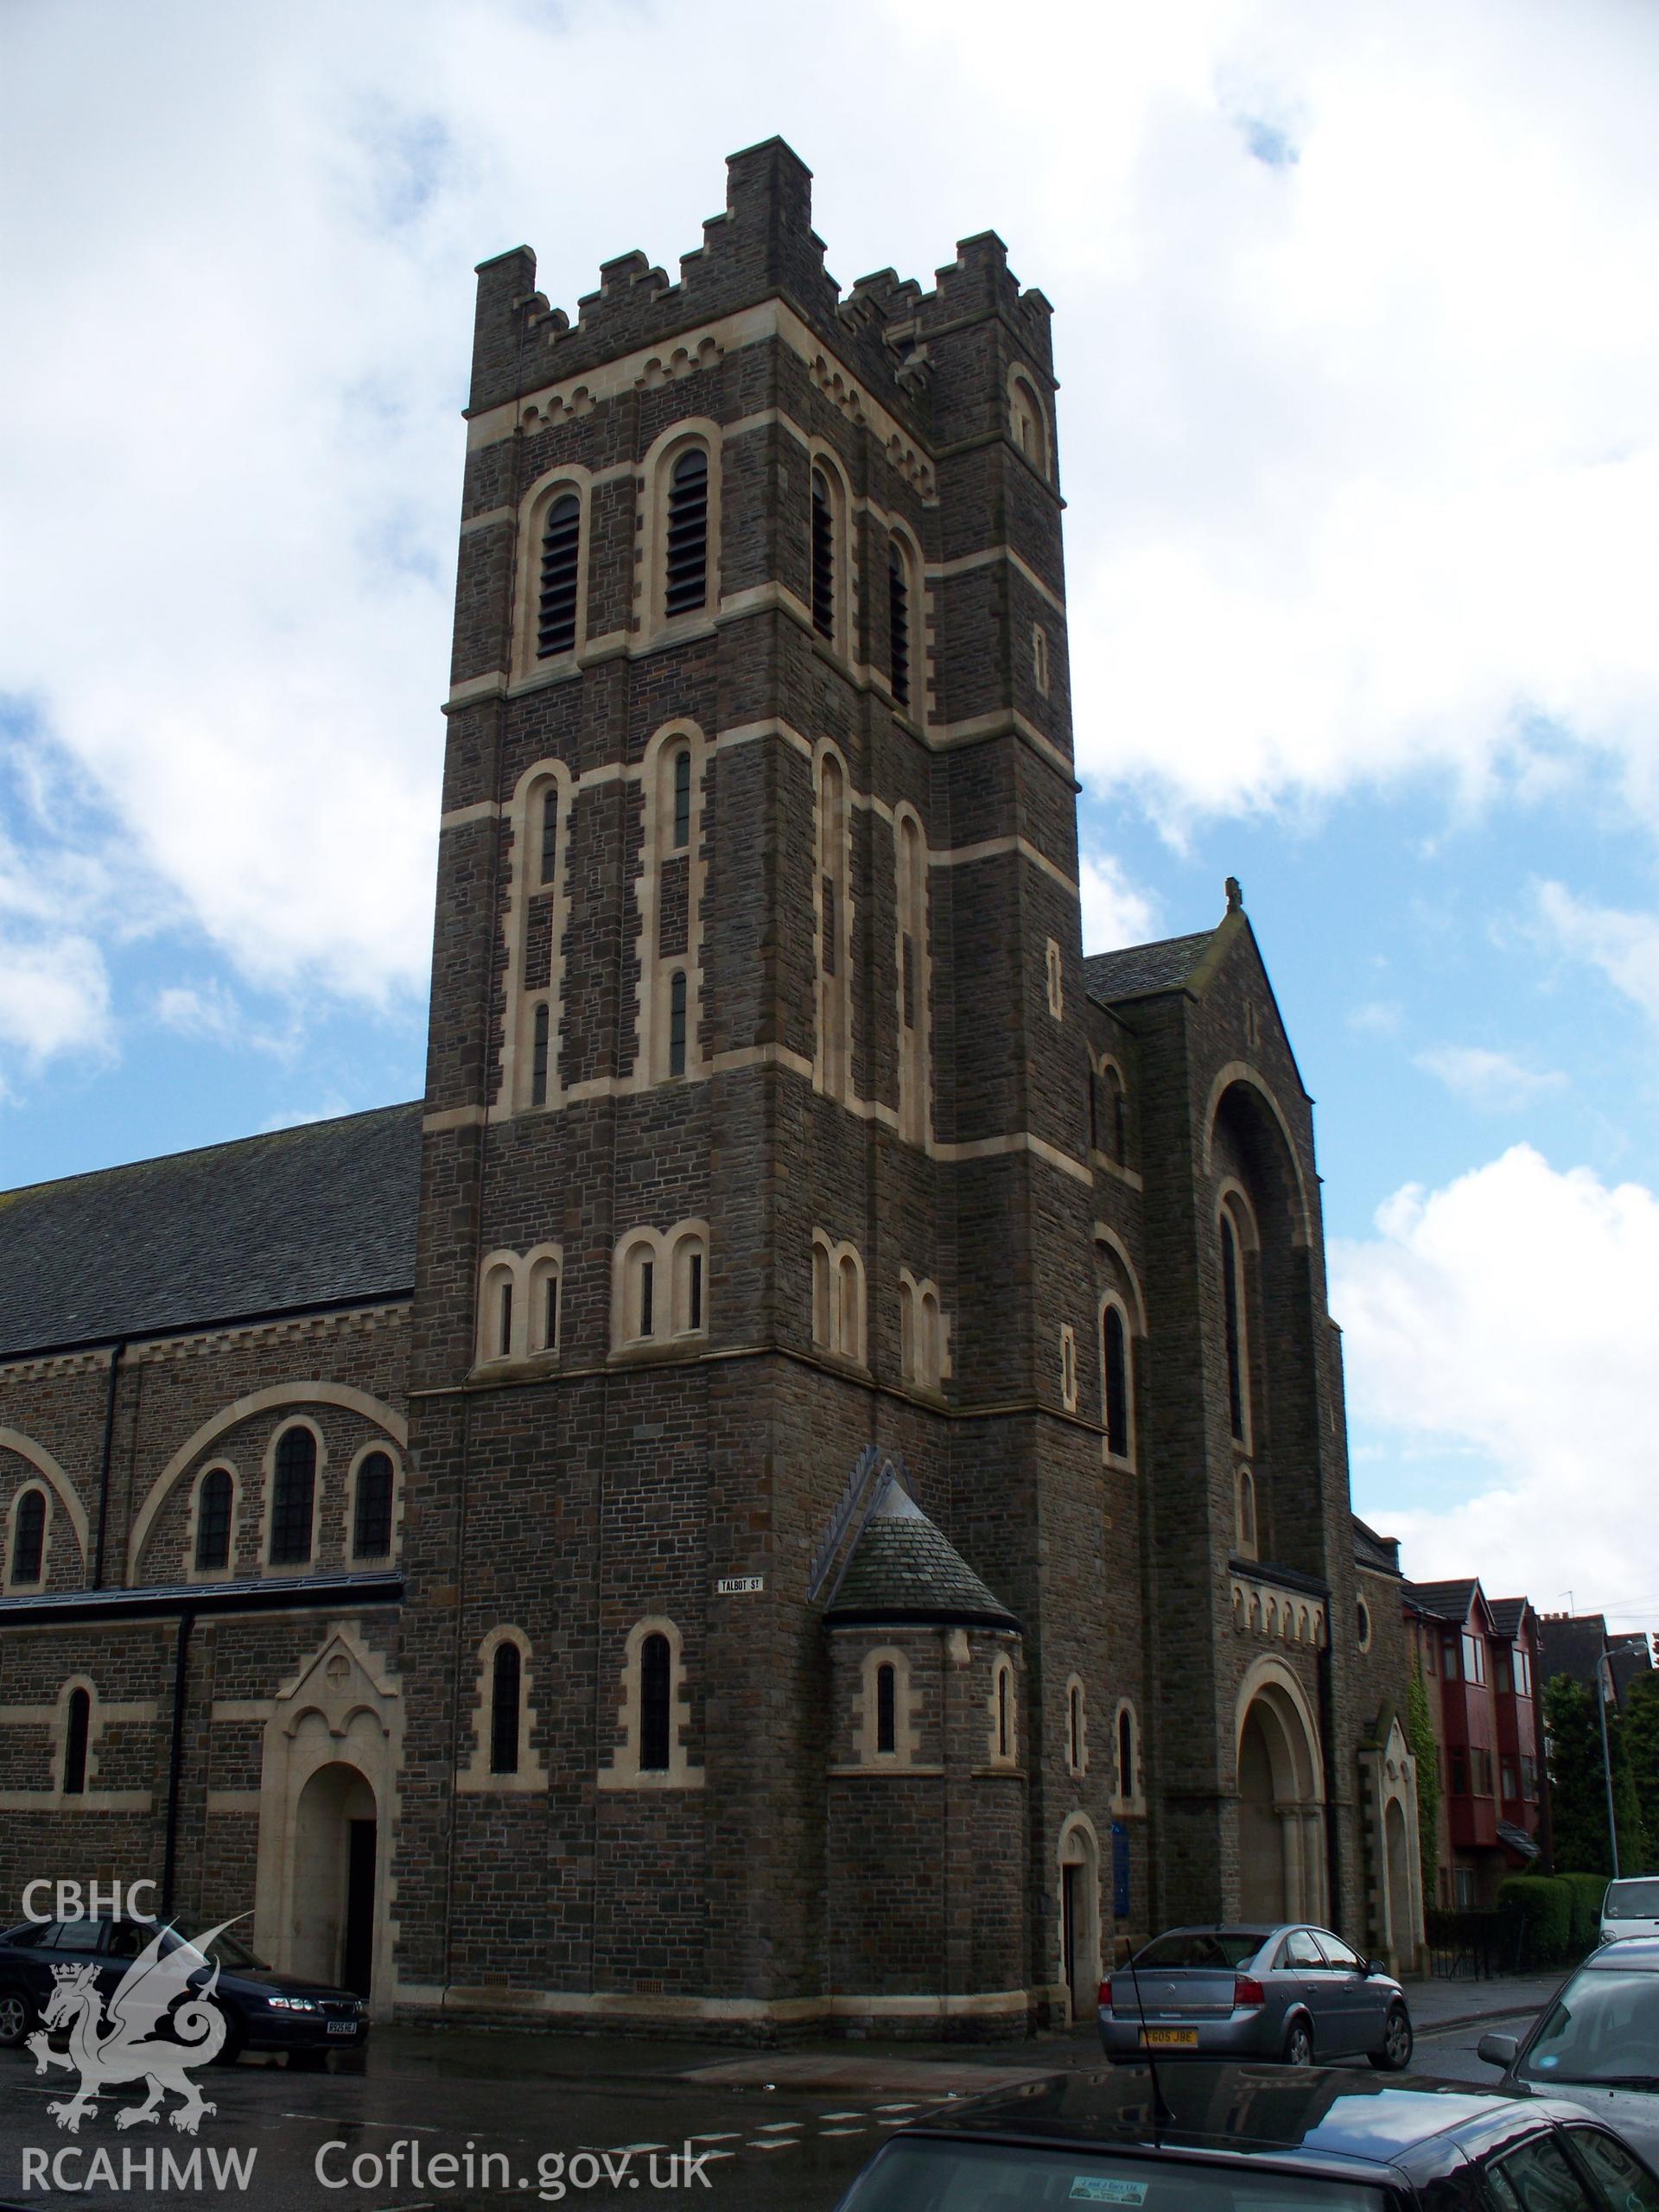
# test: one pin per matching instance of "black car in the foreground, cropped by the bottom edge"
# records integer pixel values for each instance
(1218, 2138)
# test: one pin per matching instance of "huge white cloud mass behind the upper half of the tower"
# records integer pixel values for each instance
(1357, 384)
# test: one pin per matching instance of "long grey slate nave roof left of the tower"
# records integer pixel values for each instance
(304, 1218)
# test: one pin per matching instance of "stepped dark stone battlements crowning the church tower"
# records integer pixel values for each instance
(762, 247)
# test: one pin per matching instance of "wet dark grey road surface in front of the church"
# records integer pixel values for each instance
(680, 2122)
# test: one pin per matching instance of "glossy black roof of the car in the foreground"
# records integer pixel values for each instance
(1335, 2120)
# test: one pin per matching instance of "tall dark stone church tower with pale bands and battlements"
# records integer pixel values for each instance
(753, 1123)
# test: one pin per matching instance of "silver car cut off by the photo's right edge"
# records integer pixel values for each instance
(1596, 2043)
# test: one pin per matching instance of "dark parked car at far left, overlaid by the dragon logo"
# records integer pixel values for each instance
(264, 2010)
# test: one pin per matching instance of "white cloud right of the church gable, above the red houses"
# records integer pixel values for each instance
(1512, 1315)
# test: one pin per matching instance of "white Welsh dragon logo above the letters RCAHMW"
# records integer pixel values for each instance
(149, 2036)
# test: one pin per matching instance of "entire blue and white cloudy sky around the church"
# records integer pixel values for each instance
(1359, 346)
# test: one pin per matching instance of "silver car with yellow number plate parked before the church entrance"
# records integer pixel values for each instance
(1288, 1992)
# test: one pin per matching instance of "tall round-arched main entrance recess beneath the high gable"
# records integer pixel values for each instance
(1282, 1799)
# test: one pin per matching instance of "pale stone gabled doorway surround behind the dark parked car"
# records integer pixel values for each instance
(331, 1762)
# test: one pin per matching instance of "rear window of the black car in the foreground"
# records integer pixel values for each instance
(992, 2178)
